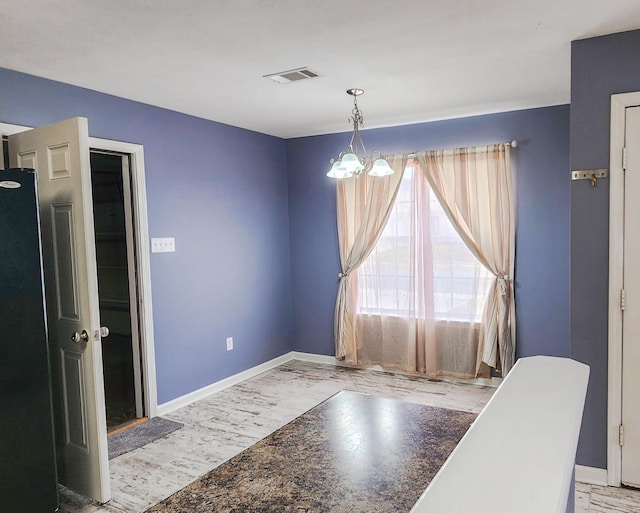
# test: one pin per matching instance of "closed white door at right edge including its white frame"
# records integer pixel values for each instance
(623, 440)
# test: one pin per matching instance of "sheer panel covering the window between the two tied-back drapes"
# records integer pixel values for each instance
(420, 291)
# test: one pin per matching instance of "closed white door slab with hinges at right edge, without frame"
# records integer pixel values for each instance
(631, 315)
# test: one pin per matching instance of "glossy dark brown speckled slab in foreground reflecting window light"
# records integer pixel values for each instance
(351, 453)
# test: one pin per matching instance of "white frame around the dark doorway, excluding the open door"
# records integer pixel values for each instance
(143, 262)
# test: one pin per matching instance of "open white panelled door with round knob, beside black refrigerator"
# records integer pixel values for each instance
(60, 155)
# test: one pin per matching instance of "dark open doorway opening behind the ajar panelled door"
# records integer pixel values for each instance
(117, 287)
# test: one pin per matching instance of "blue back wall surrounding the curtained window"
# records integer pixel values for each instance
(541, 164)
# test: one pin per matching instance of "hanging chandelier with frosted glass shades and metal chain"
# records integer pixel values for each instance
(354, 160)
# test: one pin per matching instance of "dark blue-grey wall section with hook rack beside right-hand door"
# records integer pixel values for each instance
(600, 67)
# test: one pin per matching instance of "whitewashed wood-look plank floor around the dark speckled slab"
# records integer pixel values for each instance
(224, 424)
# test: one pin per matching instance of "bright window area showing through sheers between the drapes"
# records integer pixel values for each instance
(420, 252)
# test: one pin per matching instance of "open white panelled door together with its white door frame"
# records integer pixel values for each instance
(79, 397)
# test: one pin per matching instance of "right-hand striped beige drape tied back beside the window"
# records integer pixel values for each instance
(475, 188)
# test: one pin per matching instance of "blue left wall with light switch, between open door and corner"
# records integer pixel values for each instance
(222, 193)
